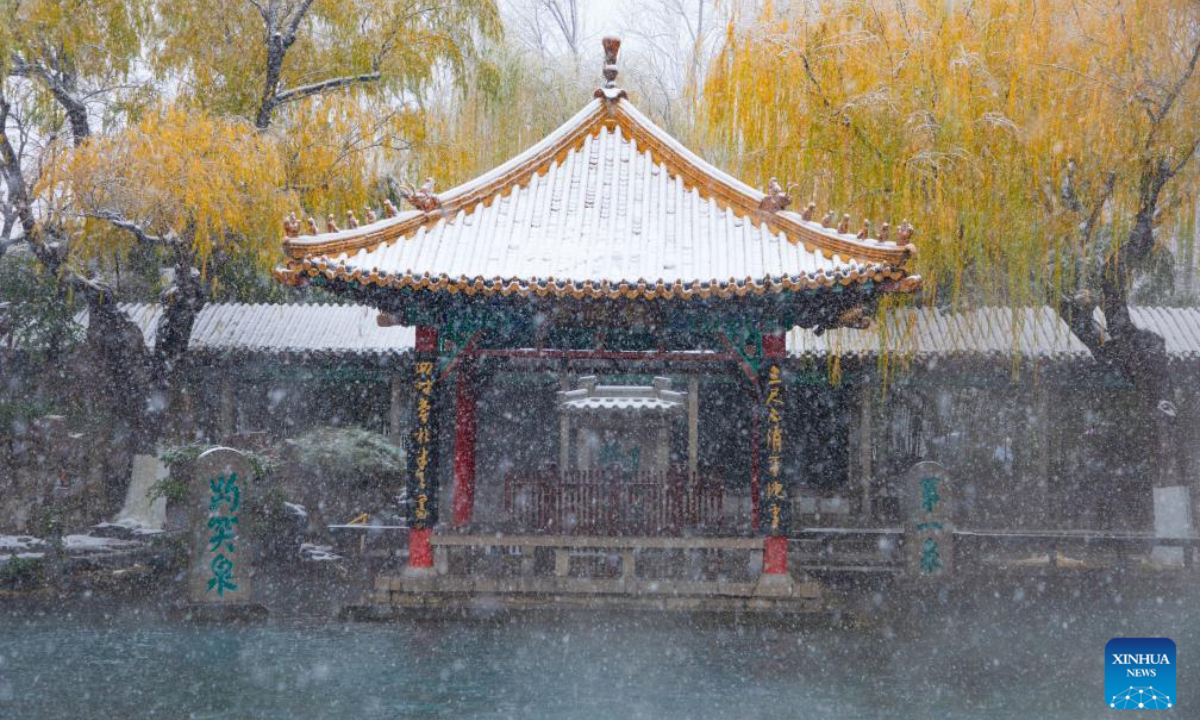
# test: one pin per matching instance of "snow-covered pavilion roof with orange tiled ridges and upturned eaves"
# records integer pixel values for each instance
(608, 206)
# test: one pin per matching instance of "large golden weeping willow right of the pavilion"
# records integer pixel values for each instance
(1043, 148)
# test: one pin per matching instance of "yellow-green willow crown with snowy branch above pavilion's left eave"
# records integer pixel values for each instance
(345, 86)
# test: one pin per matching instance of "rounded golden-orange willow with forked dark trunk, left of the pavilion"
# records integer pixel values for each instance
(197, 189)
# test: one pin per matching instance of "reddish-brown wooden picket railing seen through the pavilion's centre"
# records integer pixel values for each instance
(613, 503)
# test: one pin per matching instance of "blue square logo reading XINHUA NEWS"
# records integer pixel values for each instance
(1139, 674)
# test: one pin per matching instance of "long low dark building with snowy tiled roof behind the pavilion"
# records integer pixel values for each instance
(998, 395)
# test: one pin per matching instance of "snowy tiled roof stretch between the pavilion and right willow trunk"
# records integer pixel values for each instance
(1031, 333)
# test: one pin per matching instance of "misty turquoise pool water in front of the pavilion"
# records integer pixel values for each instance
(1009, 659)
